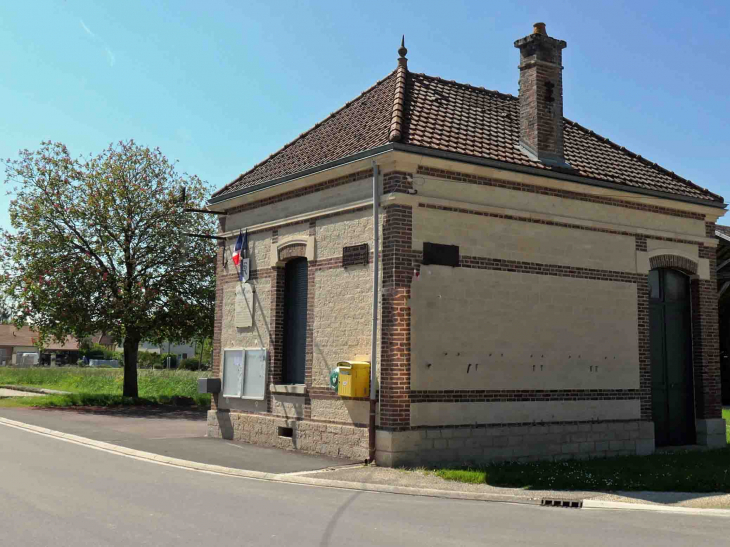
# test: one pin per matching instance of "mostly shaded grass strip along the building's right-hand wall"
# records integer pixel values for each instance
(699, 471)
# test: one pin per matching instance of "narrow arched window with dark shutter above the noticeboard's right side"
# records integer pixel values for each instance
(295, 321)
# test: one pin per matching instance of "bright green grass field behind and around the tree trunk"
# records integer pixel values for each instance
(103, 387)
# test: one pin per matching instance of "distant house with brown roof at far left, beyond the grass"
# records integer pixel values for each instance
(19, 347)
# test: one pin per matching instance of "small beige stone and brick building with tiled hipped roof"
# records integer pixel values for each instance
(545, 293)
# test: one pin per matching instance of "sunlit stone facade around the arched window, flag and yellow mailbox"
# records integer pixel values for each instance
(339, 303)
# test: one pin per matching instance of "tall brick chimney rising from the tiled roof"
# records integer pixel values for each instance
(541, 97)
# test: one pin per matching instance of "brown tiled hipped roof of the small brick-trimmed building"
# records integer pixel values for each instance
(430, 112)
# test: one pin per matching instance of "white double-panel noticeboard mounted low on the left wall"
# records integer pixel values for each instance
(244, 373)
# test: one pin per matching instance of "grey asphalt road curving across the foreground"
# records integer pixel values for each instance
(55, 493)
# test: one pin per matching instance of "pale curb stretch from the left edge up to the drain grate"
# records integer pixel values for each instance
(272, 477)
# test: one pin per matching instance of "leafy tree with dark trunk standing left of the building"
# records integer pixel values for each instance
(99, 246)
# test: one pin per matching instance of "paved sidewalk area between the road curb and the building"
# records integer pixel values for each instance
(180, 434)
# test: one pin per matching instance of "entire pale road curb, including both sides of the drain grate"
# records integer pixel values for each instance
(346, 485)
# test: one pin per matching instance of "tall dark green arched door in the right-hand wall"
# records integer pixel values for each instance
(670, 336)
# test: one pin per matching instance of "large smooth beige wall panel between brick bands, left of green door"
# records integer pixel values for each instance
(490, 330)
